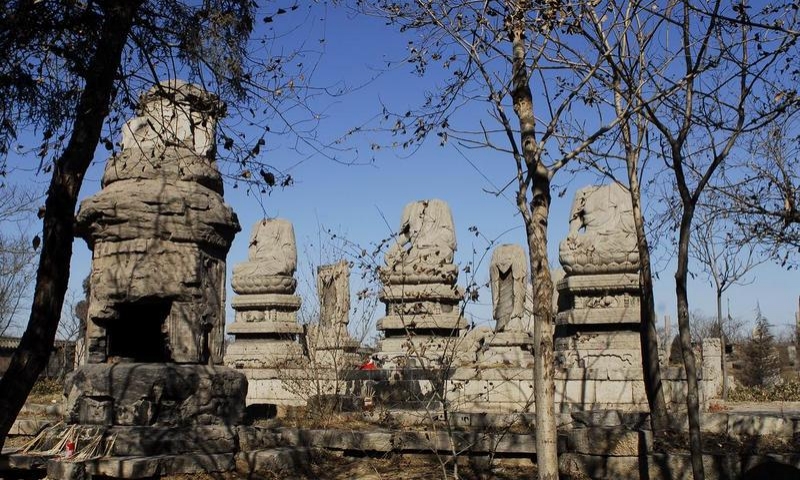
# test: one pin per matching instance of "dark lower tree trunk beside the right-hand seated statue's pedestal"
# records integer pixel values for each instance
(659, 416)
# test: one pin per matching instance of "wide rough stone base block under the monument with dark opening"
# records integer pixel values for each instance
(155, 394)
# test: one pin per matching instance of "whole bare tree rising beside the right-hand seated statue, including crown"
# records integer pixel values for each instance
(624, 31)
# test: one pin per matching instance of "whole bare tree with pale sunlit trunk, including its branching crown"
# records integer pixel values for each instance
(503, 56)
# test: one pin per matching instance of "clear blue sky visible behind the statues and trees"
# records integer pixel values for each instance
(363, 202)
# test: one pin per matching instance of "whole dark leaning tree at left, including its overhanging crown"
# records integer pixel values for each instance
(73, 70)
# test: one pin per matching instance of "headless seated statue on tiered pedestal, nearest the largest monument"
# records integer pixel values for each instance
(265, 329)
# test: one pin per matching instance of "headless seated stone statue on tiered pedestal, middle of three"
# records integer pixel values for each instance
(422, 319)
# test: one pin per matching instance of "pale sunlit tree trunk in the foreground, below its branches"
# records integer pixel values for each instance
(543, 386)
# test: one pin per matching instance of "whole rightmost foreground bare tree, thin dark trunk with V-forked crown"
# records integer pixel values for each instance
(732, 62)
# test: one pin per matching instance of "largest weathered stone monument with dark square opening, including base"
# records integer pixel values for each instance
(159, 231)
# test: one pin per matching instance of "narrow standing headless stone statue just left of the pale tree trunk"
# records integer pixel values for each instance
(512, 341)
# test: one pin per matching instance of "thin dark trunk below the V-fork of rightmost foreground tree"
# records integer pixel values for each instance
(692, 394)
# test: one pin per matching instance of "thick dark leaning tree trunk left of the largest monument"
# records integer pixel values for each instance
(52, 277)
